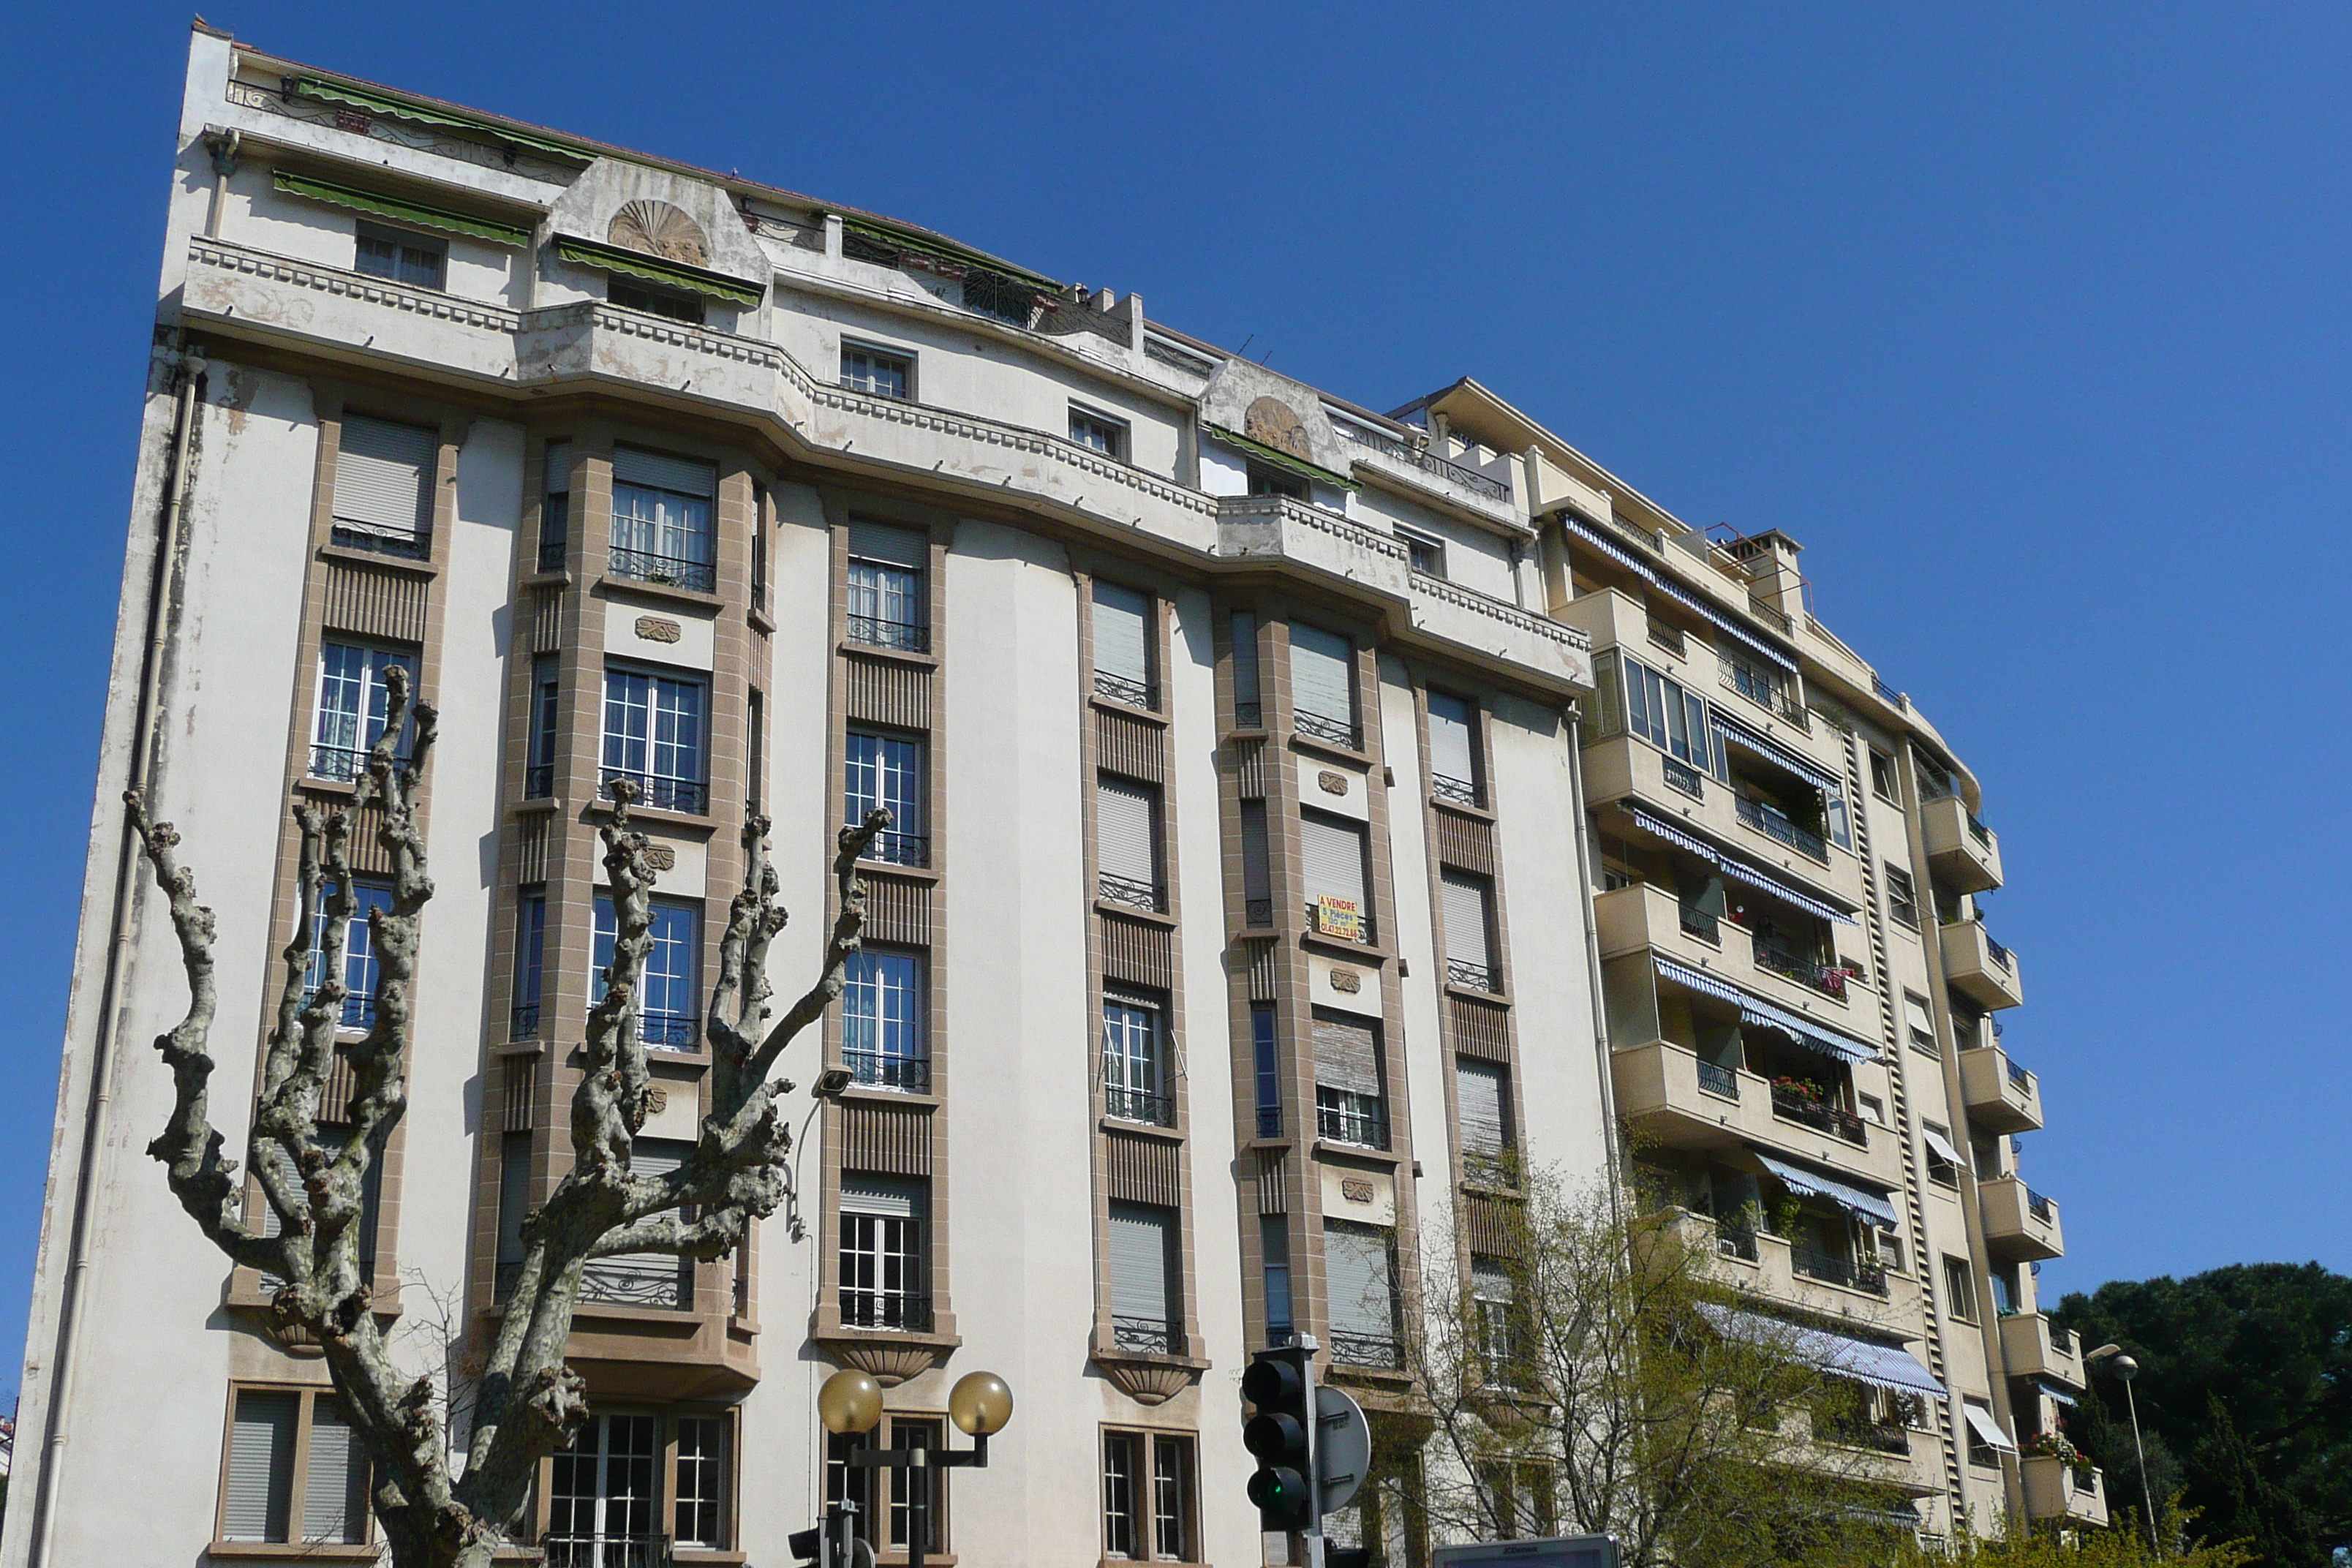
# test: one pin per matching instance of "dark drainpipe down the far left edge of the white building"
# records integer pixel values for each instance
(192, 375)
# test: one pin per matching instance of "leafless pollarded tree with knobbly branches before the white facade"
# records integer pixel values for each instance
(528, 1405)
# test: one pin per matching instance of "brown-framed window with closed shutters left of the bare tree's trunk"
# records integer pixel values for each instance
(258, 1494)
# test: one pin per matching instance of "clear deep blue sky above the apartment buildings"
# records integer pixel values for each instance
(2029, 323)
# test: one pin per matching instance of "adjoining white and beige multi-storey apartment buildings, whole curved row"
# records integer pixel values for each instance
(1299, 812)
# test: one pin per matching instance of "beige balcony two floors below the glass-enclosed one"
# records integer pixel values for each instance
(1697, 1106)
